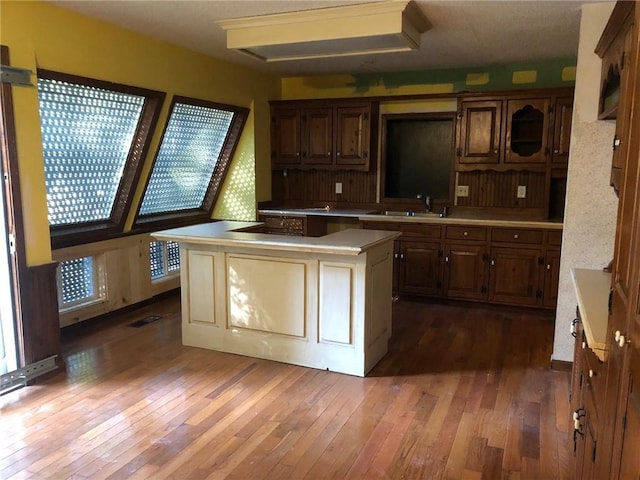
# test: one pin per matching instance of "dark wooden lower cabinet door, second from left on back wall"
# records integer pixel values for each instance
(464, 272)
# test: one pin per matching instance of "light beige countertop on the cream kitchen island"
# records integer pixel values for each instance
(346, 242)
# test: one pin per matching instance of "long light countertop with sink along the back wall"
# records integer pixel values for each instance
(430, 218)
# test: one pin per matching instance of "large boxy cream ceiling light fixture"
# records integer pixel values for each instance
(381, 27)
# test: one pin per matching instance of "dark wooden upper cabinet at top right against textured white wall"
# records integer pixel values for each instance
(617, 51)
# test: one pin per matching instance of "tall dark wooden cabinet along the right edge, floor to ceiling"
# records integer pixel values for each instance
(617, 456)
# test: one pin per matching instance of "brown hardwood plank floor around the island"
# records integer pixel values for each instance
(464, 393)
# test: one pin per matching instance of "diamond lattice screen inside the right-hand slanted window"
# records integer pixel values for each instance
(190, 149)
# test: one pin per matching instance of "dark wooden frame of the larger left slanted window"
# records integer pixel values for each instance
(87, 232)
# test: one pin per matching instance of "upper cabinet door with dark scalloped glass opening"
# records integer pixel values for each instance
(527, 131)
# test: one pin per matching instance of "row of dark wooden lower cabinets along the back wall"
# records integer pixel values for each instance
(468, 262)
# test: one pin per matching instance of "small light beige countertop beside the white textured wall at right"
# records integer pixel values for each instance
(592, 289)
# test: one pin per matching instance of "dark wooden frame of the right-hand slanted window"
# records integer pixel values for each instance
(179, 218)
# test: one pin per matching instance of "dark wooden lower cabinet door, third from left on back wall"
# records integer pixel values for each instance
(514, 276)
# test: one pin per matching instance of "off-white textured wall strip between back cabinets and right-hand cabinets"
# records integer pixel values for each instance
(591, 204)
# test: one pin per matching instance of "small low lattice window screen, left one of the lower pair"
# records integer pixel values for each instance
(77, 281)
